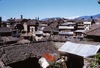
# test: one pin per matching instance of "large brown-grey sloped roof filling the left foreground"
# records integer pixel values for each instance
(17, 53)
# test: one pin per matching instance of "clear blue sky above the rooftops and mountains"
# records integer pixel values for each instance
(48, 8)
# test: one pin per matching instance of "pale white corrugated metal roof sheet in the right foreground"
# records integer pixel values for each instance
(84, 50)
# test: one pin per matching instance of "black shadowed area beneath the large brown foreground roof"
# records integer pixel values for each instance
(28, 63)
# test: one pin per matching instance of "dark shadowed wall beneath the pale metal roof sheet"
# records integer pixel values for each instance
(75, 61)
